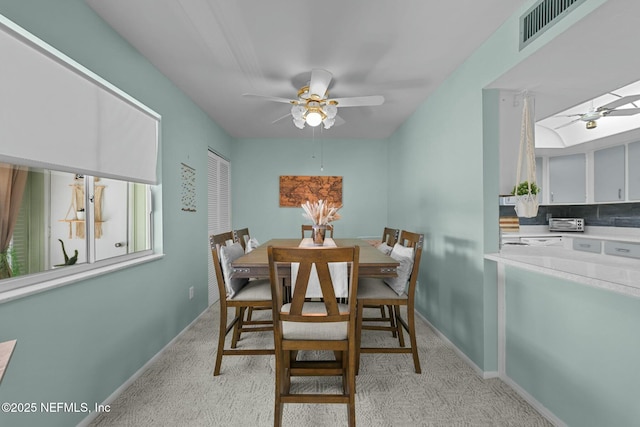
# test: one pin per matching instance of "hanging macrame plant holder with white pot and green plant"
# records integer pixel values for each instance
(526, 192)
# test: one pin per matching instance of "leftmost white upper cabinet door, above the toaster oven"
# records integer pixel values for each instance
(567, 179)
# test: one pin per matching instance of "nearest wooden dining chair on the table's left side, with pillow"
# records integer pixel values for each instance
(238, 294)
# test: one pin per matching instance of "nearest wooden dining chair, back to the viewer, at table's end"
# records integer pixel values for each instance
(321, 324)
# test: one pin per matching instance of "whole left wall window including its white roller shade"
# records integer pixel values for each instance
(76, 164)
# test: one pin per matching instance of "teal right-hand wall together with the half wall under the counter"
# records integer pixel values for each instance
(570, 347)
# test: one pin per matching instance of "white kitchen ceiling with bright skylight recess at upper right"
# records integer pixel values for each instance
(597, 55)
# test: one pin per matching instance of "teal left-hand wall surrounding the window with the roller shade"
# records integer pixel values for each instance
(79, 343)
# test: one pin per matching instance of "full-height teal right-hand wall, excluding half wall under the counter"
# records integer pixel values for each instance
(446, 158)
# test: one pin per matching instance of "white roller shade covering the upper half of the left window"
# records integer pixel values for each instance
(56, 114)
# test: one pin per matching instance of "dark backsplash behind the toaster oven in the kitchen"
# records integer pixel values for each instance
(602, 215)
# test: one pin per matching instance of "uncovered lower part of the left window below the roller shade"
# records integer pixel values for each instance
(61, 220)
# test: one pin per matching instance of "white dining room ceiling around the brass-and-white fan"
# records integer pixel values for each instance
(216, 50)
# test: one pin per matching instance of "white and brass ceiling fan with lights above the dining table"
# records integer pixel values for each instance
(313, 105)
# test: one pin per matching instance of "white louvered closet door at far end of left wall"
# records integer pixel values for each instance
(218, 209)
